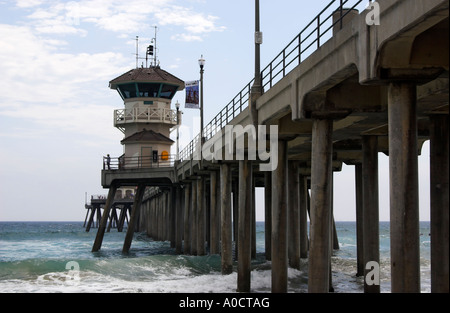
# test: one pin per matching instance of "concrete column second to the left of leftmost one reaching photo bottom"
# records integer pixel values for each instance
(215, 214)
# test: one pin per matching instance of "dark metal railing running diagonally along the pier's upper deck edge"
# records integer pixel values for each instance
(311, 38)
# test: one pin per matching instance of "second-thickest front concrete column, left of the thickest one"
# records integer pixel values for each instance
(320, 211)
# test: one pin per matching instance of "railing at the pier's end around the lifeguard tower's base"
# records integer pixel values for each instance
(141, 162)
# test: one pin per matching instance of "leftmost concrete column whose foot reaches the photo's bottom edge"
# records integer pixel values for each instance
(245, 226)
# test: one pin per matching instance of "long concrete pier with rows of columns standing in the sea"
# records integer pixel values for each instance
(368, 89)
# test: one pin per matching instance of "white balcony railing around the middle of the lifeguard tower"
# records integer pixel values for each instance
(145, 115)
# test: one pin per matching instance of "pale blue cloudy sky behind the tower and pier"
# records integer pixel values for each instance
(56, 110)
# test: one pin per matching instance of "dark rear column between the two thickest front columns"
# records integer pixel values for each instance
(371, 236)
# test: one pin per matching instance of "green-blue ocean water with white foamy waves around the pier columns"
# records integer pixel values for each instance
(56, 257)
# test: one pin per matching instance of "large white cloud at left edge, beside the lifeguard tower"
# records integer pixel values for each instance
(55, 90)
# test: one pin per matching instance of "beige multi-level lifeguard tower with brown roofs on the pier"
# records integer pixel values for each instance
(147, 116)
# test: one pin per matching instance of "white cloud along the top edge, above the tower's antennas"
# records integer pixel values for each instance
(74, 18)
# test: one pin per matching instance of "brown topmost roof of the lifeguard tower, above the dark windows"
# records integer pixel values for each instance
(152, 74)
